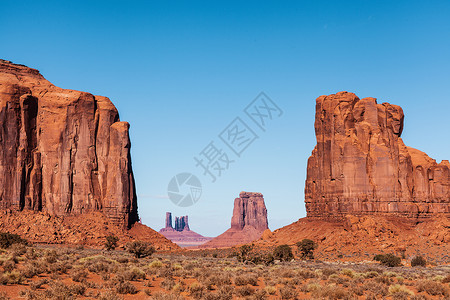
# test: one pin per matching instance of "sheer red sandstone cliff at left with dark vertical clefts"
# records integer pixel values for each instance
(62, 151)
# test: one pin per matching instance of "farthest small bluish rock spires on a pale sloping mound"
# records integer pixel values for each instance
(182, 234)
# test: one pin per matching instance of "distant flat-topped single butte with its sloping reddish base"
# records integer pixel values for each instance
(248, 222)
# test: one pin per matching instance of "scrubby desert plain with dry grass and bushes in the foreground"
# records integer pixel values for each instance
(37, 272)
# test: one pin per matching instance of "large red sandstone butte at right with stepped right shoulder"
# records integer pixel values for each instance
(360, 164)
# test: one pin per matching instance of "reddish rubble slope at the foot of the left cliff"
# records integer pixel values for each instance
(88, 229)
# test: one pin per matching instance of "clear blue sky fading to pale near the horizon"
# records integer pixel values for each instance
(180, 72)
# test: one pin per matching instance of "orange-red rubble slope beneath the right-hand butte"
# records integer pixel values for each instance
(359, 238)
